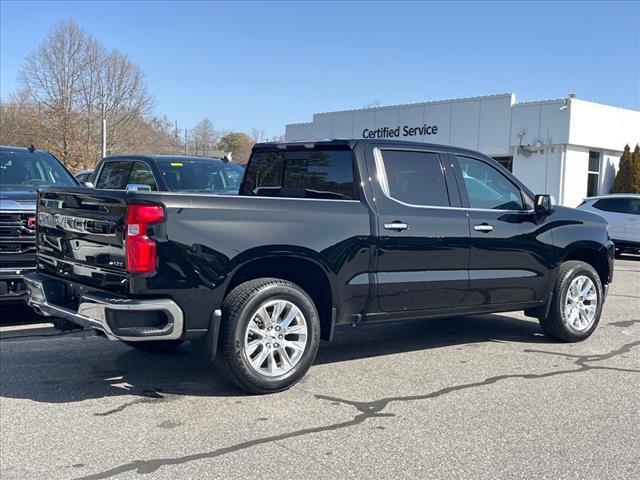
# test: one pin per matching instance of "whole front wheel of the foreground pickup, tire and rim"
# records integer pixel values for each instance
(576, 305)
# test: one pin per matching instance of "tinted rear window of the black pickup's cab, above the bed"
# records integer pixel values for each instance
(324, 174)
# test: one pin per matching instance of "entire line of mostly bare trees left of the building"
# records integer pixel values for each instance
(70, 80)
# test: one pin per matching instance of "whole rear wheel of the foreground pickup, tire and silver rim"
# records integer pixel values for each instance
(269, 335)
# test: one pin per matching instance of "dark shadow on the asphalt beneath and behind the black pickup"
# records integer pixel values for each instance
(81, 366)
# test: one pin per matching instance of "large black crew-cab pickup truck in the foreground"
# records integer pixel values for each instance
(322, 233)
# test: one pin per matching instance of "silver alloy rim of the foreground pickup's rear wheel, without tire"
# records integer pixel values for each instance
(275, 338)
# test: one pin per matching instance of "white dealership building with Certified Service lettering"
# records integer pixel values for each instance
(569, 148)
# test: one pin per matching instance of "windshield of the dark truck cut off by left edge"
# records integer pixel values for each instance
(23, 170)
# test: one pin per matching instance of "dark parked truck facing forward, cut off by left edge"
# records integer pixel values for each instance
(22, 171)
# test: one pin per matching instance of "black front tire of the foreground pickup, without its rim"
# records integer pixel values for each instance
(554, 324)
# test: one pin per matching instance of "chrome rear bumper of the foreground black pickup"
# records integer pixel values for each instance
(95, 308)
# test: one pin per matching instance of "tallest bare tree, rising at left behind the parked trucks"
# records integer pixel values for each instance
(69, 77)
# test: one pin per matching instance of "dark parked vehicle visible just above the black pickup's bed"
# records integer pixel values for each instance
(169, 173)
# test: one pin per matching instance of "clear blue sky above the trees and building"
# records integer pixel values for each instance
(262, 65)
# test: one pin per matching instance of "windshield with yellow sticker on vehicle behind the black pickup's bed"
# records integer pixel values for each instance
(206, 175)
